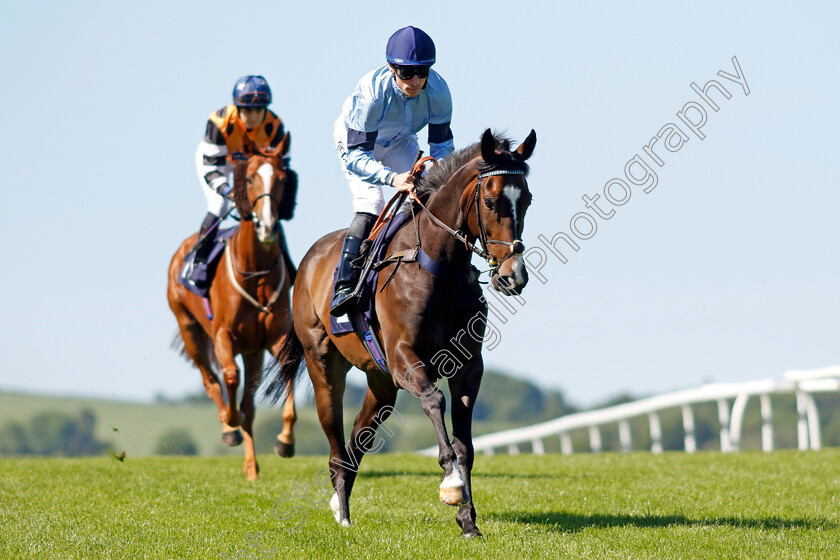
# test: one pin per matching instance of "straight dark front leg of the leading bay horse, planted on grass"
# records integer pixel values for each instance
(464, 390)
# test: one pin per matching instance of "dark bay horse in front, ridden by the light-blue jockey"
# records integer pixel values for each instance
(477, 193)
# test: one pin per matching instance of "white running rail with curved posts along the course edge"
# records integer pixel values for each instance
(800, 383)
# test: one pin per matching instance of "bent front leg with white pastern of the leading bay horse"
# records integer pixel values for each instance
(410, 371)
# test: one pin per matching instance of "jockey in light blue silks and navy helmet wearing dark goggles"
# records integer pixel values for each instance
(376, 138)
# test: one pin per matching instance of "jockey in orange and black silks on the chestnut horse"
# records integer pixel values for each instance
(222, 146)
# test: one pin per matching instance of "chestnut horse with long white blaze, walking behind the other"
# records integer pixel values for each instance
(249, 300)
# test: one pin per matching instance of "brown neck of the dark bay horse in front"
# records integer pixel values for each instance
(445, 204)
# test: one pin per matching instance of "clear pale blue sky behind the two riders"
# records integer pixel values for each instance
(728, 270)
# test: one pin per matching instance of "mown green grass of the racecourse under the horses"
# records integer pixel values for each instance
(628, 506)
